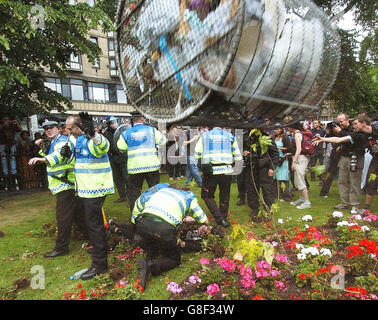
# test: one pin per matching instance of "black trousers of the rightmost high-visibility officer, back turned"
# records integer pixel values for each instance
(209, 186)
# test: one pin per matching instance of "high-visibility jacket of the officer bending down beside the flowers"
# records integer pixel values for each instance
(170, 204)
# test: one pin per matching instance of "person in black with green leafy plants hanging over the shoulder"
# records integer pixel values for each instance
(260, 172)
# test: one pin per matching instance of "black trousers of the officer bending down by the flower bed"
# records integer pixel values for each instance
(160, 243)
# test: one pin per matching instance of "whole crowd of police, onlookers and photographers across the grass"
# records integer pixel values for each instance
(84, 164)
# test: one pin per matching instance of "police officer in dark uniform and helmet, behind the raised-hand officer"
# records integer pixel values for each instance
(118, 160)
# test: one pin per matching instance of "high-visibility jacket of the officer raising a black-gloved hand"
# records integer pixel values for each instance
(93, 173)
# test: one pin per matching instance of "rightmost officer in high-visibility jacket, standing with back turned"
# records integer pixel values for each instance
(218, 150)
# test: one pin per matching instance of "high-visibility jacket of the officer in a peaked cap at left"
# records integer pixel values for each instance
(60, 174)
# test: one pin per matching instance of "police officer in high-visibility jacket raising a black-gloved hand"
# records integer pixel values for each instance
(94, 181)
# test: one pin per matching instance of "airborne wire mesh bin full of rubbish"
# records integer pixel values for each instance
(225, 60)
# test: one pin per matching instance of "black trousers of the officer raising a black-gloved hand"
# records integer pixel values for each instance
(97, 233)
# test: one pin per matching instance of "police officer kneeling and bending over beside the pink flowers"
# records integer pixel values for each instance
(157, 214)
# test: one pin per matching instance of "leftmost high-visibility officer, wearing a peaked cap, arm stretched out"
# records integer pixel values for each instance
(61, 183)
